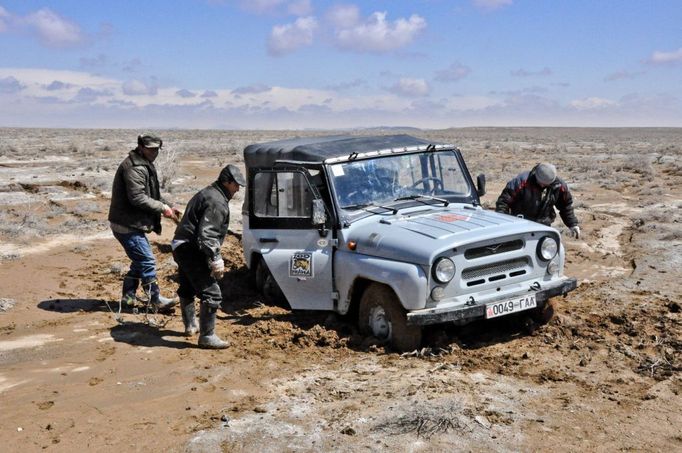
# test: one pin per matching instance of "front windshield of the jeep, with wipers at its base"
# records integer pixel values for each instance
(422, 178)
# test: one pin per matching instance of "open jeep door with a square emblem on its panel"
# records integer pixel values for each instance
(298, 252)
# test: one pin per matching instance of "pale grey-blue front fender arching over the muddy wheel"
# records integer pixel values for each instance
(408, 280)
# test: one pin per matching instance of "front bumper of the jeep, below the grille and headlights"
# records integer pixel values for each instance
(435, 316)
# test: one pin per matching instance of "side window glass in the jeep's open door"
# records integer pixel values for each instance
(281, 194)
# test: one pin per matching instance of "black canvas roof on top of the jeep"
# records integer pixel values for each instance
(317, 149)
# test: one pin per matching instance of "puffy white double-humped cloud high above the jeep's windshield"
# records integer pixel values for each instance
(375, 34)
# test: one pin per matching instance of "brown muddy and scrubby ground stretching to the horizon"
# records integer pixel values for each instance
(603, 375)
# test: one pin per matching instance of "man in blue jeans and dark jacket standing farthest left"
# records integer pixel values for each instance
(136, 209)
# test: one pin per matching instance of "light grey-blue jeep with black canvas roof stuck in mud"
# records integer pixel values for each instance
(390, 228)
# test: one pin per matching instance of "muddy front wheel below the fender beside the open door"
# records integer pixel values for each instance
(381, 315)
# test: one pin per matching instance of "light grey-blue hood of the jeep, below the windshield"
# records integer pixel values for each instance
(418, 235)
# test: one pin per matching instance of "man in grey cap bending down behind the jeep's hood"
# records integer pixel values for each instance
(534, 194)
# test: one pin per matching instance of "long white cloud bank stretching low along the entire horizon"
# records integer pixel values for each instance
(85, 100)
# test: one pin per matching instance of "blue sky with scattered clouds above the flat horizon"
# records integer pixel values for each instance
(314, 64)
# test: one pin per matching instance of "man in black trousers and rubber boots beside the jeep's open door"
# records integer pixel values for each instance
(196, 249)
